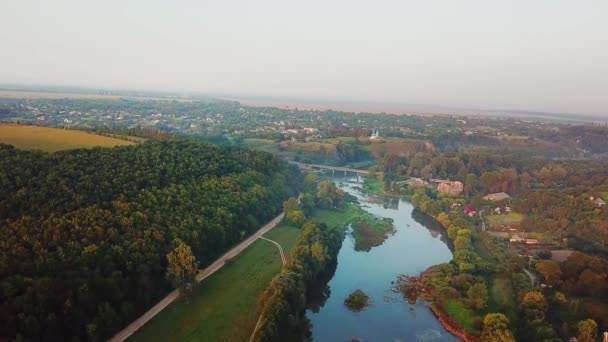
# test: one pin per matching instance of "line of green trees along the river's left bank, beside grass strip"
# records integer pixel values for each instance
(313, 259)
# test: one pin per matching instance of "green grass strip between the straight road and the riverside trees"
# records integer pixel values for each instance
(223, 307)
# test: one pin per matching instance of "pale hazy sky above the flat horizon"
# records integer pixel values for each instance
(544, 55)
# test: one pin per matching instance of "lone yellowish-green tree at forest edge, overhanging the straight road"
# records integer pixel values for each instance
(182, 265)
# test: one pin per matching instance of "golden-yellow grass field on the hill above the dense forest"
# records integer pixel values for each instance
(53, 139)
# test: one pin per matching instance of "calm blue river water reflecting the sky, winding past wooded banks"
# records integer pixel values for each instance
(413, 248)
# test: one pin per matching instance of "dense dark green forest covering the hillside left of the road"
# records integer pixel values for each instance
(85, 234)
